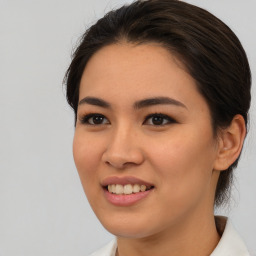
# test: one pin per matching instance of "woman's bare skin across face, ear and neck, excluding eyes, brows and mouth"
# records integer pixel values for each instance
(181, 158)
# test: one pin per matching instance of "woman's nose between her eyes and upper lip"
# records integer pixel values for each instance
(123, 149)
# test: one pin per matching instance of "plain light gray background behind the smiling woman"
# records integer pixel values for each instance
(43, 207)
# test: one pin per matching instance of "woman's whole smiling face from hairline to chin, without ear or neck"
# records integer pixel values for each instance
(141, 121)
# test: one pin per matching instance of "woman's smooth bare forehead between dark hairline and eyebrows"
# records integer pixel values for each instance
(127, 72)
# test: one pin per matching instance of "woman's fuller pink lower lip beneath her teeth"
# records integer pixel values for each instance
(126, 200)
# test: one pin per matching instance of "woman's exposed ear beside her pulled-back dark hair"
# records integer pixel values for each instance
(230, 143)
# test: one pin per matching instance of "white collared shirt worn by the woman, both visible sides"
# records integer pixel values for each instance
(230, 243)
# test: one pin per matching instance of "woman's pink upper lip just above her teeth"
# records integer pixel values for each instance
(124, 180)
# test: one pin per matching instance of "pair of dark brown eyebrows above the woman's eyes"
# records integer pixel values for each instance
(137, 105)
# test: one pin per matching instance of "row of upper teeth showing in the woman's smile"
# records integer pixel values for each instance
(126, 189)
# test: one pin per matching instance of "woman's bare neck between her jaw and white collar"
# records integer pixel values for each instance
(194, 238)
